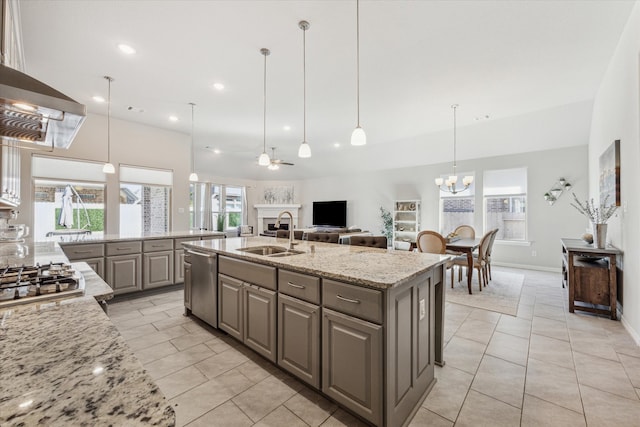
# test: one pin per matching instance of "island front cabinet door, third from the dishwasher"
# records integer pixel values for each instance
(299, 339)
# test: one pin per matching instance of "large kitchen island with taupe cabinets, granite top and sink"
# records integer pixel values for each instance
(362, 325)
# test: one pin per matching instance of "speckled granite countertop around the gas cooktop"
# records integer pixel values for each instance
(63, 362)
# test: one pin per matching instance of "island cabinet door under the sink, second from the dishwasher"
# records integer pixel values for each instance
(260, 320)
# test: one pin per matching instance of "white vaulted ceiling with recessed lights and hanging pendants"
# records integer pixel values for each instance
(501, 59)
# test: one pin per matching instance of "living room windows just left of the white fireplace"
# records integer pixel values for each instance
(217, 207)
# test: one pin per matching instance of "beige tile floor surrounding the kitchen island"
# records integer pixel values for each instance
(545, 367)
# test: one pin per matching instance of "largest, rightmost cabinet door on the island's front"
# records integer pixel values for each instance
(352, 364)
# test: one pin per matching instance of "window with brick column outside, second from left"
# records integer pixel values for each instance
(145, 200)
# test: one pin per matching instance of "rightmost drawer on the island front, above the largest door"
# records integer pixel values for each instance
(354, 300)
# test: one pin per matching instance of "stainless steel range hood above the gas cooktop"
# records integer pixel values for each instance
(32, 112)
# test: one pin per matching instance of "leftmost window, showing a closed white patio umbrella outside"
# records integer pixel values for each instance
(69, 197)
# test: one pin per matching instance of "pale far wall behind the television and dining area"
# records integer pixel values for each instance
(366, 192)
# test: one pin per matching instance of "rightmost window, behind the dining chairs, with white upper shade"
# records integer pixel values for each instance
(505, 201)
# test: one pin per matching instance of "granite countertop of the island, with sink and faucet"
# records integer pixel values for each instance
(376, 268)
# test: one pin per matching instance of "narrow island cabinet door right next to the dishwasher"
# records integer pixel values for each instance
(230, 313)
